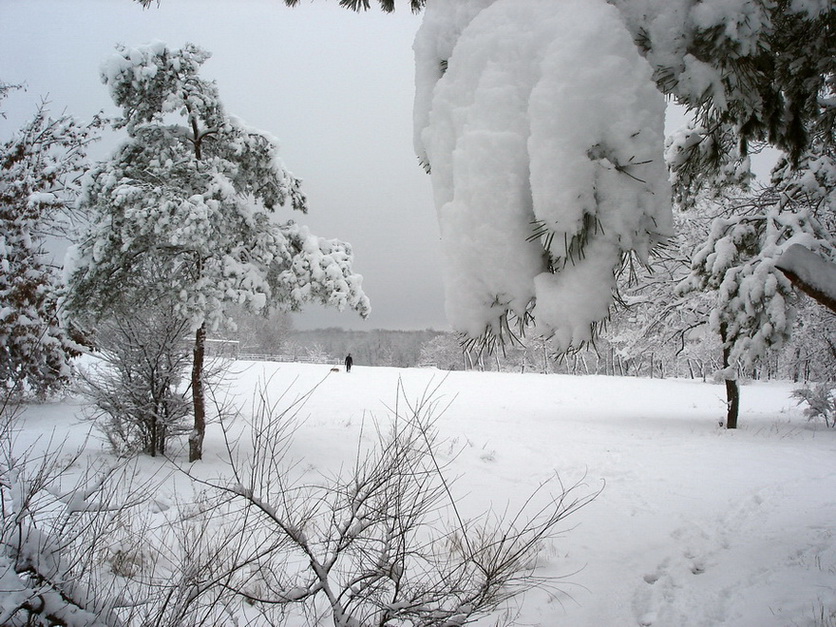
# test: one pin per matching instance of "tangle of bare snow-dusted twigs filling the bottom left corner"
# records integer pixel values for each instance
(79, 548)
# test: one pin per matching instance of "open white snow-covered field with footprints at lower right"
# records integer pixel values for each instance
(695, 525)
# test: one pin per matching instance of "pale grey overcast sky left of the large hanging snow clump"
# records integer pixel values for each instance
(335, 87)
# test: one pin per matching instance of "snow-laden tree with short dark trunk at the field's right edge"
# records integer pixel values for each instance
(754, 305)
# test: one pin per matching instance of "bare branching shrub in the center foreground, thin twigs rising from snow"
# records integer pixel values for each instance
(383, 543)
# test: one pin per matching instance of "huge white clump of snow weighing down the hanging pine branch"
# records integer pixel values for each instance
(543, 131)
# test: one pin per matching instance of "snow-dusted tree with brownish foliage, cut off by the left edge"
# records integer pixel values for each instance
(39, 168)
